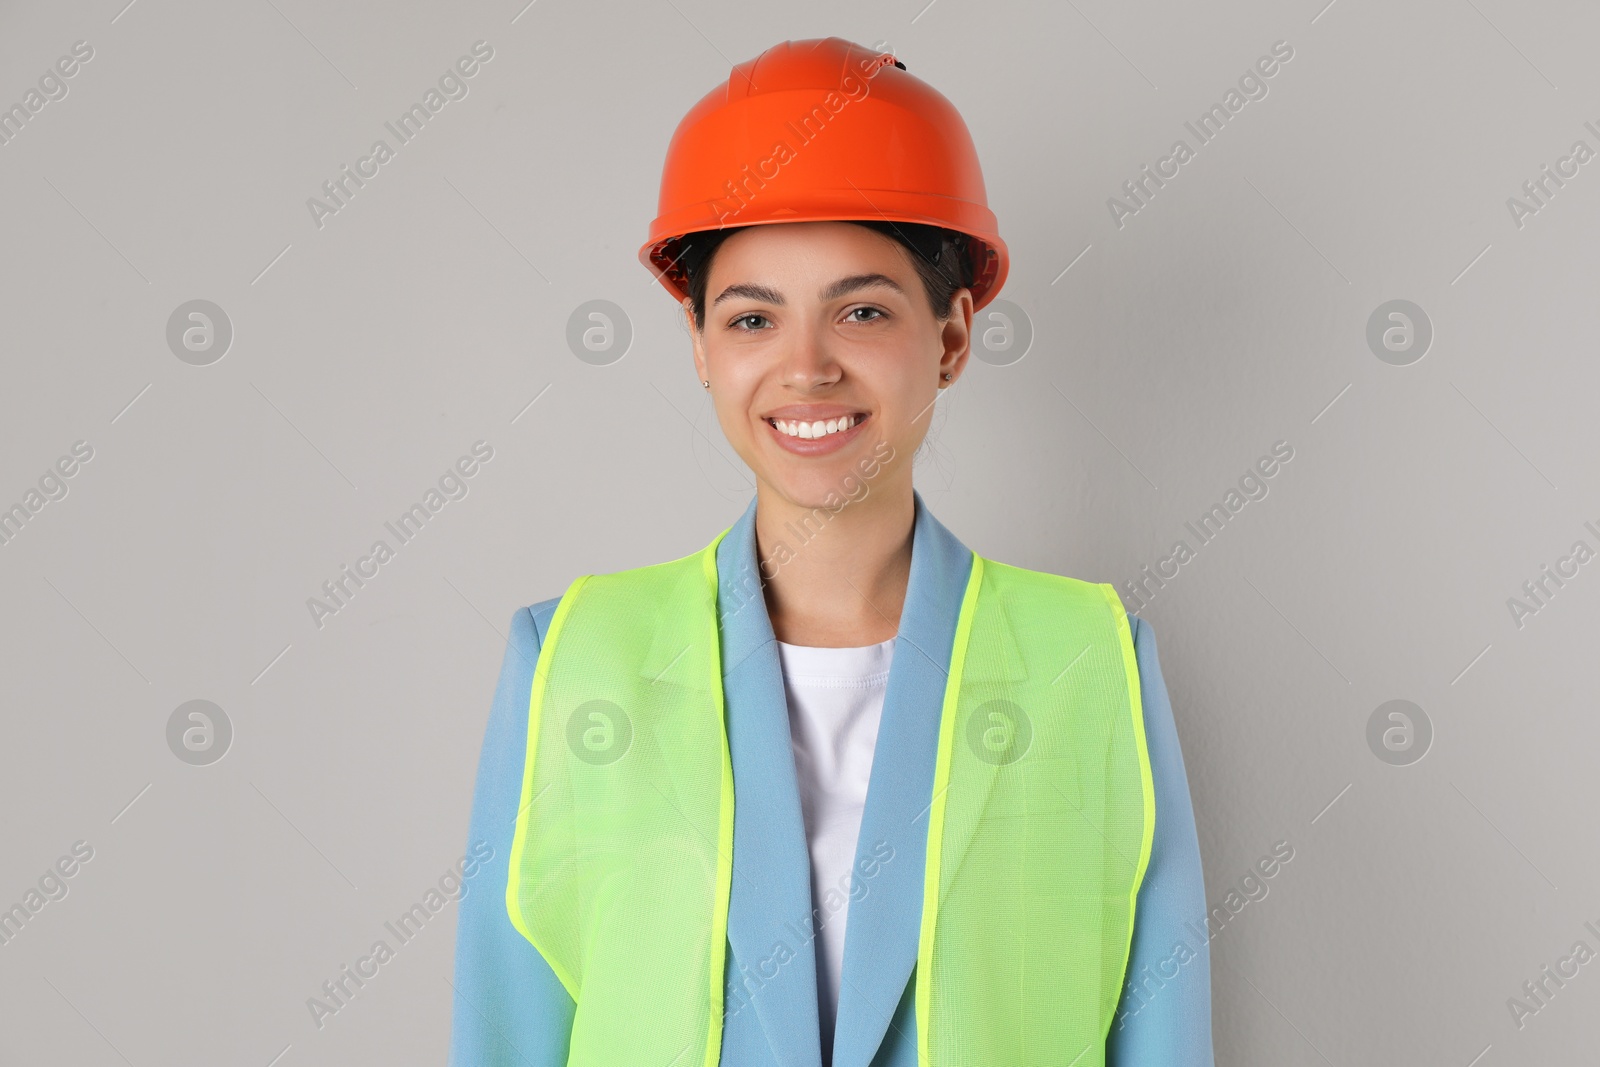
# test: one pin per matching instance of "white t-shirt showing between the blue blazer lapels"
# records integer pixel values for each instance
(836, 703)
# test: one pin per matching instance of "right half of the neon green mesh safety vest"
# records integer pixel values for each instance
(1039, 831)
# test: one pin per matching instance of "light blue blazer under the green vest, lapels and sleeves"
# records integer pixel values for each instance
(510, 1007)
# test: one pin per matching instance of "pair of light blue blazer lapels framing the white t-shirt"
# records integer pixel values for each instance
(774, 965)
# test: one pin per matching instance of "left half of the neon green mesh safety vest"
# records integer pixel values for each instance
(623, 850)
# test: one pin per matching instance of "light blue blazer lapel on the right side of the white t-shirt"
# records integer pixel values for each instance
(886, 916)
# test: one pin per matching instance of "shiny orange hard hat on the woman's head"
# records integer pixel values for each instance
(823, 130)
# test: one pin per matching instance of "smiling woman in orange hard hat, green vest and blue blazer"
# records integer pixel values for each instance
(702, 775)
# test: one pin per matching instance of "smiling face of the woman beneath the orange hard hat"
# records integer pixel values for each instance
(810, 322)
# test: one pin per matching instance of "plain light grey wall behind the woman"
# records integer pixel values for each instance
(1230, 314)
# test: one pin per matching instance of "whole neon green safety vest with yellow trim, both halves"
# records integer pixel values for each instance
(1039, 833)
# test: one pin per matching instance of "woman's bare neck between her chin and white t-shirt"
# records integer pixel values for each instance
(836, 580)
